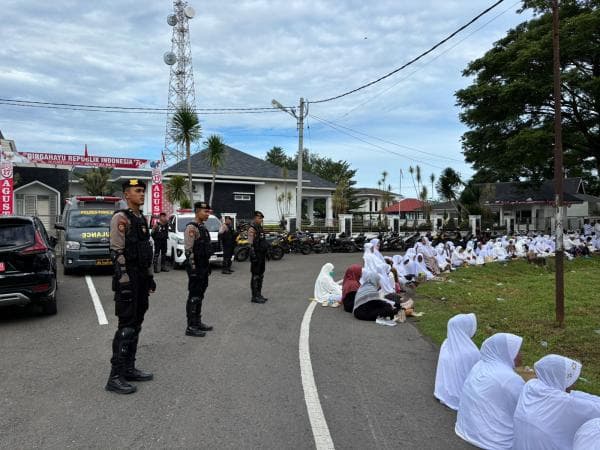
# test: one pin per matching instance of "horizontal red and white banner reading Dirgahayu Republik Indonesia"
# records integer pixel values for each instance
(82, 160)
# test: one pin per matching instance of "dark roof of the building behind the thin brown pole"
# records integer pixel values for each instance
(526, 193)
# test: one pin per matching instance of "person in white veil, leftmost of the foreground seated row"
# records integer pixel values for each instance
(458, 355)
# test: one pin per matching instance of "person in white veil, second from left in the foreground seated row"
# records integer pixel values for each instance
(490, 394)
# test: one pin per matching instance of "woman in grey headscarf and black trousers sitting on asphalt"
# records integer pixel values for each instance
(368, 304)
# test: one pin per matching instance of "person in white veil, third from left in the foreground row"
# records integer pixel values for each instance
(547, 417)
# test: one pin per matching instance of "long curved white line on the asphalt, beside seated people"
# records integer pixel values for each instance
(311, 395)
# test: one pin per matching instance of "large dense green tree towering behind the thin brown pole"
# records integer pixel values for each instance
(509, 108)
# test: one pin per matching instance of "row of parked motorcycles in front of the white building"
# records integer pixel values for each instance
(305, 243)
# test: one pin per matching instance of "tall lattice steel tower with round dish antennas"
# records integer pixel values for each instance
(181, 81)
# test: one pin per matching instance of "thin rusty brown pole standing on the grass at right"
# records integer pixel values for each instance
(558, 171)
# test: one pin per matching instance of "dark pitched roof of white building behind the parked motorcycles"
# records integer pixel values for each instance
(240, 164)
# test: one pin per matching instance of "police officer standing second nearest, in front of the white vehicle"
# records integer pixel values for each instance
(197, 251)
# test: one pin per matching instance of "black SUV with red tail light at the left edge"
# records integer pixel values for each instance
(27, 263)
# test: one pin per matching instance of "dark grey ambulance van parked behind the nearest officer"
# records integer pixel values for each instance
(86, 226)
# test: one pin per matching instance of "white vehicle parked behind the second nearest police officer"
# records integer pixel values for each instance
(177, 224)
